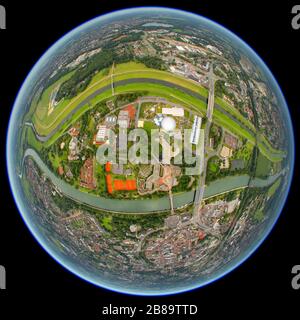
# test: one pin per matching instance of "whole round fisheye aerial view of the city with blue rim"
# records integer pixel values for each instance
(150, 151)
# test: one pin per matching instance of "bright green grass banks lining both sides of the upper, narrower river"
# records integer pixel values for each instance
(45, 123)
